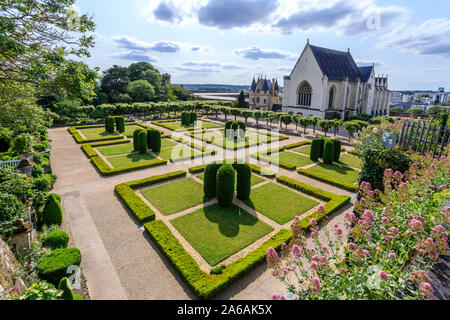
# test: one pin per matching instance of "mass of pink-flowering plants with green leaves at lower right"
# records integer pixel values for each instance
(390, 246)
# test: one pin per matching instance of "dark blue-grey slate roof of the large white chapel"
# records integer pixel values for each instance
(336, 64)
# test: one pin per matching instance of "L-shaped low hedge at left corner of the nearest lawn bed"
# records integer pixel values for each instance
(134, 203)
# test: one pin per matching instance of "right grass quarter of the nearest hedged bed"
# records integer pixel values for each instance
(279, 203)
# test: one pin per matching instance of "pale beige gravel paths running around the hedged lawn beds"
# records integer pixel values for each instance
(119, 261)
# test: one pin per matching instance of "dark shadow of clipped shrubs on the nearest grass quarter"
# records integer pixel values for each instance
(229, 219)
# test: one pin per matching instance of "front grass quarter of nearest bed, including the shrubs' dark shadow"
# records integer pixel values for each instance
(217, 233)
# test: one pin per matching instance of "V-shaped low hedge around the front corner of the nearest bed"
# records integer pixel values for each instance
(204, 285)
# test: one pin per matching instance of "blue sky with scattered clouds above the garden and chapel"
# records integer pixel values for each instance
(231, 41)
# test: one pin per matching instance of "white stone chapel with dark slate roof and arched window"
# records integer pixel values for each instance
(328, 83)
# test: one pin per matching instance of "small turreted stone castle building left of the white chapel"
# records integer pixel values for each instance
(264, 95)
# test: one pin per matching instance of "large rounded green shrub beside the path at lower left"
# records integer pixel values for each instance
(53, 266)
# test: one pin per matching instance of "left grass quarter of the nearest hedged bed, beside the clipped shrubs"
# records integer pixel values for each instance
(175, 196)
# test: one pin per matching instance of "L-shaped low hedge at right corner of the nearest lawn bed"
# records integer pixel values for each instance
(335, 202)
